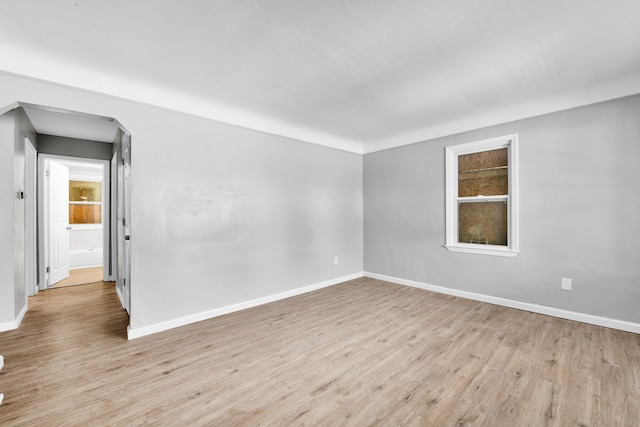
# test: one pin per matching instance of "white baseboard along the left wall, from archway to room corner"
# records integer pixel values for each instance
(133, 333)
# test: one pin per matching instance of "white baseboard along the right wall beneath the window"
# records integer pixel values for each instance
(535, 308)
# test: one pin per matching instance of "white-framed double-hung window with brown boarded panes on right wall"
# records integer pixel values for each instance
(482, 198)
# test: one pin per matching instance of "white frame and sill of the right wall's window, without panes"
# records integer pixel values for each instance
(511, 143)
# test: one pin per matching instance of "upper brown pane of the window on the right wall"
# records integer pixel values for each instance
(484, 173)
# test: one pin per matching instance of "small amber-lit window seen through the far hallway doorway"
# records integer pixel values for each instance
(85, 202)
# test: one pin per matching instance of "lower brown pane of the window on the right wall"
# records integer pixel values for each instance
(483, 223)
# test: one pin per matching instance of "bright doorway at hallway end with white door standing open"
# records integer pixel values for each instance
(75, 221)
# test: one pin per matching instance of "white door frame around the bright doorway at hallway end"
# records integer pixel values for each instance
(43, 232)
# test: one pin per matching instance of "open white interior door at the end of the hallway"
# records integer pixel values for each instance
(58, 217)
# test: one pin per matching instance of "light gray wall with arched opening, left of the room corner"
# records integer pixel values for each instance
(220, 214)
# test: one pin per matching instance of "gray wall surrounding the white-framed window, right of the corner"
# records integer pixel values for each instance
(579, 213)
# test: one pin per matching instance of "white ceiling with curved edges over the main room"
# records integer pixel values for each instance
(360, 75)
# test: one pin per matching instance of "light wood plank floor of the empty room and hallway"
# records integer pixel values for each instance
(361, 353)
